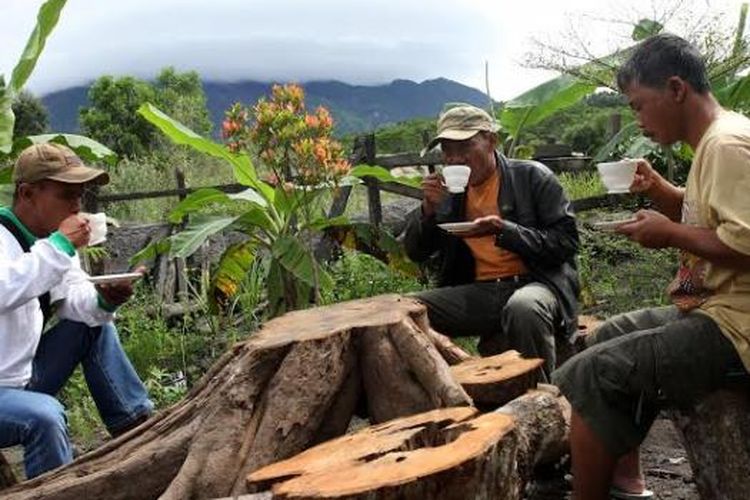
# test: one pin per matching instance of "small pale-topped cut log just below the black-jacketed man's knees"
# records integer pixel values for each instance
(495, 380)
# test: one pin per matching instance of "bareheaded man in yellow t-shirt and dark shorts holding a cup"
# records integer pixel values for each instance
(682, 352)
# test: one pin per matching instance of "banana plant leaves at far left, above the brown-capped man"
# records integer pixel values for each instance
(87, 149)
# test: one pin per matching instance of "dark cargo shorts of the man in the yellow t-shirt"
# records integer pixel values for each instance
(640, 362)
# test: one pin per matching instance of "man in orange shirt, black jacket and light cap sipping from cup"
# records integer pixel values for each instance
(511, 279)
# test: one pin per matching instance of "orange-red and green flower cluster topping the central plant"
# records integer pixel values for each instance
(293, 144)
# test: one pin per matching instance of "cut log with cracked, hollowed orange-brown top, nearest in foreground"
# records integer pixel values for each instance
(445, 453)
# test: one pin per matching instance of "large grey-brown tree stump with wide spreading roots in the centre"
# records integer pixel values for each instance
(293, 383)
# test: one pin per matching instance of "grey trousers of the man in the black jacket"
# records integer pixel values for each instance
(504, 314)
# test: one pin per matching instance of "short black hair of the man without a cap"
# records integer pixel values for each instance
(660, 57)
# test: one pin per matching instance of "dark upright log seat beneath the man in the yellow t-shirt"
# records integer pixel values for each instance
(716, 436)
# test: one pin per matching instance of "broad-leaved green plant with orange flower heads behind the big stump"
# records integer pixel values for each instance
(279, 213)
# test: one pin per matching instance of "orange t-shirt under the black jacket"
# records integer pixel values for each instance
(491, 261)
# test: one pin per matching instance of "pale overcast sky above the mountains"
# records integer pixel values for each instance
(364, 42)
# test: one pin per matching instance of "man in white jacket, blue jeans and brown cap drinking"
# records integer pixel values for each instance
(41, 281)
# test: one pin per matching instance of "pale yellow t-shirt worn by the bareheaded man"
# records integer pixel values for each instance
(717, 196)
